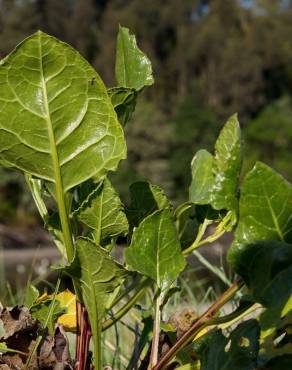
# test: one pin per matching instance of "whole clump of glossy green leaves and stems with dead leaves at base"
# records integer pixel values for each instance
(63, 129)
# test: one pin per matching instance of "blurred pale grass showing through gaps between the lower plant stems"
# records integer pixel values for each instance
(198, 287)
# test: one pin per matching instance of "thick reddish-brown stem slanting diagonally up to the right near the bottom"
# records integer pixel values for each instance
(189, 335)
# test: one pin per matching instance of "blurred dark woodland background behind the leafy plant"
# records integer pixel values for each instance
(210, 60)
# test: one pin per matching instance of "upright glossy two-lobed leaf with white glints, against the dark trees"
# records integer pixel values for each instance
(215, 179)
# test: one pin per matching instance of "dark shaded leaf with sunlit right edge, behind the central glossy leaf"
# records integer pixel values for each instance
(145, 199)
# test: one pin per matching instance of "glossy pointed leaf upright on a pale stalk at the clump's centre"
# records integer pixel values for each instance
(155, 249)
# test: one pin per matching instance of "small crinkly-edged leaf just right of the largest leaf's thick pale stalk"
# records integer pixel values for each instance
(103, 212)
